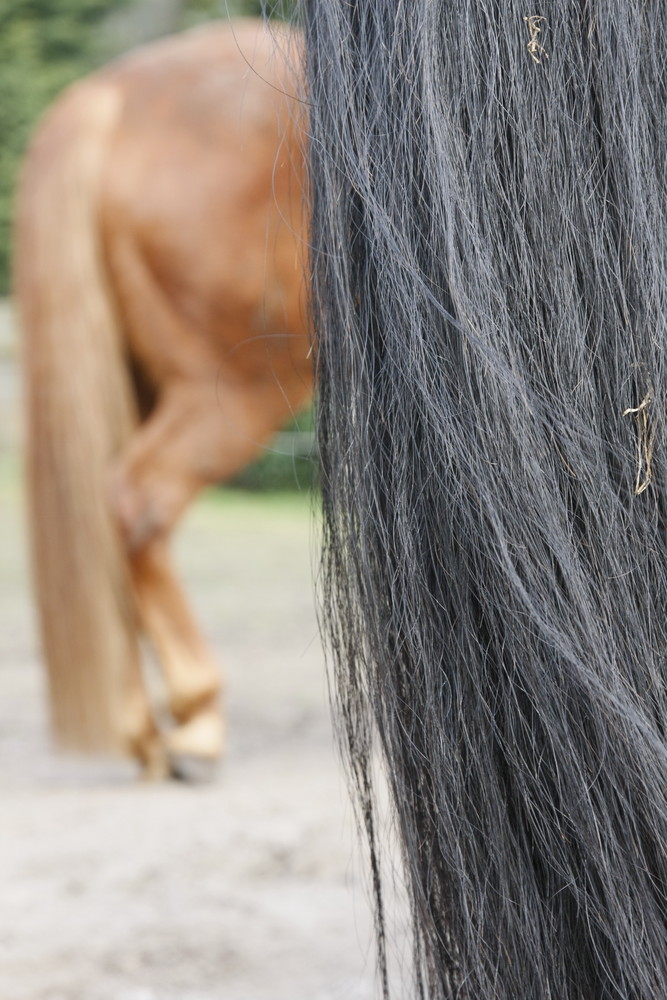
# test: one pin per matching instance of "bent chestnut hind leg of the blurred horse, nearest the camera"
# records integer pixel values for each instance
(192, 438)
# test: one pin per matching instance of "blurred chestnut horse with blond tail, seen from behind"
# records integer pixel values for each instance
(159, 274)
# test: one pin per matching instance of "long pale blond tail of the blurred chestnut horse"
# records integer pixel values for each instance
(79, 412)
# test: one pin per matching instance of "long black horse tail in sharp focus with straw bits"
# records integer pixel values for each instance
(489, 252)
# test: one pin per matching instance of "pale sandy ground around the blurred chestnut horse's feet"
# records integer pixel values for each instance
(247, 889)
